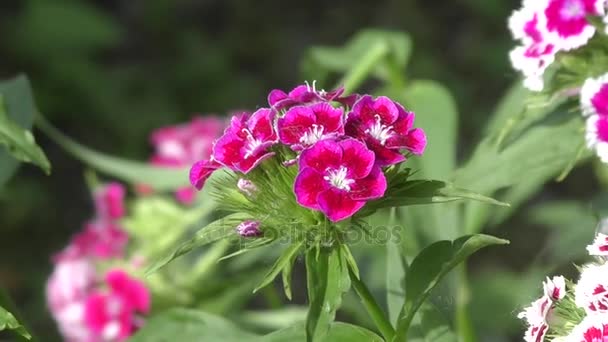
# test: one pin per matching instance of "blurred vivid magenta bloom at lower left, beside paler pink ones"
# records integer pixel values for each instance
(112, 315)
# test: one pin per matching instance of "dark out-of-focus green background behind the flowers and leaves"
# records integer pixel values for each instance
(108, 72)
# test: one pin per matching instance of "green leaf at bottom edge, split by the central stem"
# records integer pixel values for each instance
(338, 331)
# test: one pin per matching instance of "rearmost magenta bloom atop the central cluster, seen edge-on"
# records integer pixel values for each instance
(305, 94)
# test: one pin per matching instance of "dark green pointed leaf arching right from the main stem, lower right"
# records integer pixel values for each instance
(430, 266)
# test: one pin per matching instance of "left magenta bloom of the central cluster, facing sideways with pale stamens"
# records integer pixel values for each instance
(246, 142)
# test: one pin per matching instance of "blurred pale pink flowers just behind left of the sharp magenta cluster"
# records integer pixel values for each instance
(184, 144)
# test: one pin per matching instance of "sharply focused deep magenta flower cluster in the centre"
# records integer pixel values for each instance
(342, 143)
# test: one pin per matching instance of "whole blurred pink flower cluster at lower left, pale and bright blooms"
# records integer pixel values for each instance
(89, 307)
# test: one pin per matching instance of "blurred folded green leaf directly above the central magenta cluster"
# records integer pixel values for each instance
(320, 61)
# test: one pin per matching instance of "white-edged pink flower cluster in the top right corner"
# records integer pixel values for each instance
(545, 27)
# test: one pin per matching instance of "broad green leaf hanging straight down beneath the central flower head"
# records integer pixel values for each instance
(327, 279)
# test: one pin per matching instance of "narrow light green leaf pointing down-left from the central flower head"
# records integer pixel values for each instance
(216, 230)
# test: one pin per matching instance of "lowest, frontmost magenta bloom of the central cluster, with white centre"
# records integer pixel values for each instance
(338, 177)
